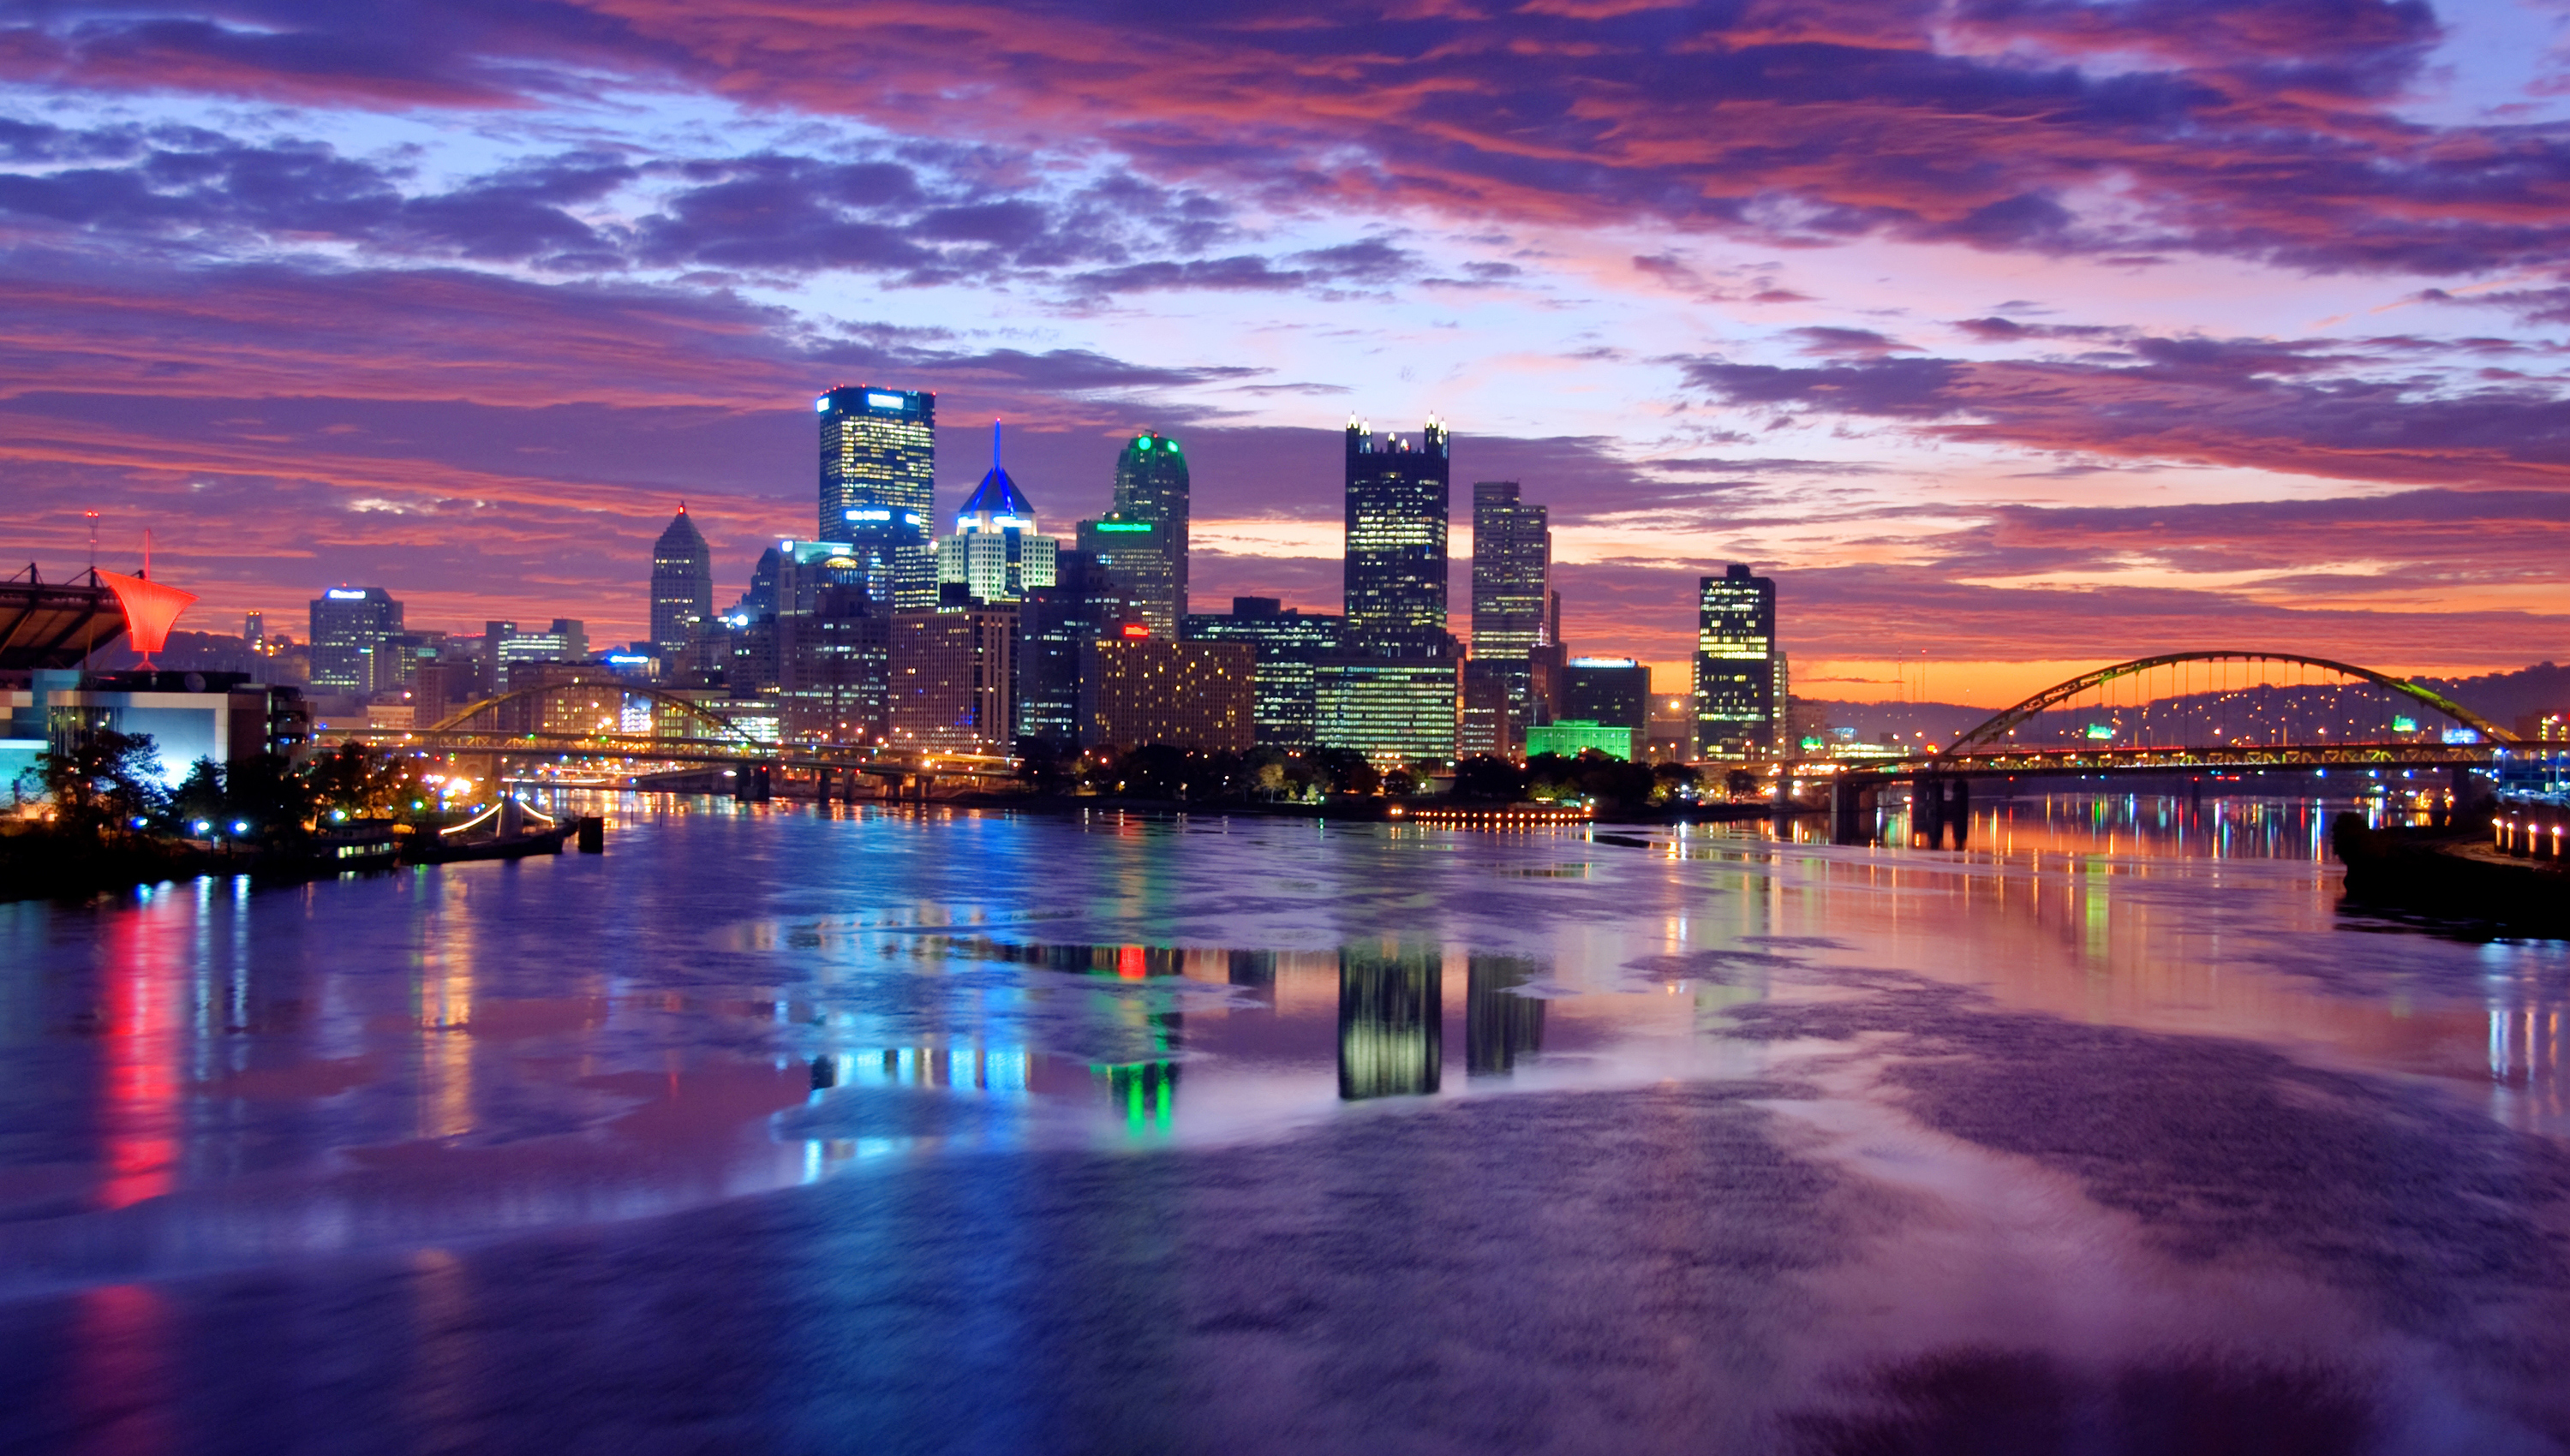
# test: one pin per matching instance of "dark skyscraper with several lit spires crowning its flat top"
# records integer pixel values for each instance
(1397, 543)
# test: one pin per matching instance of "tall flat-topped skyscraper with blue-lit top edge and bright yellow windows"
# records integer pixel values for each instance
(878, 484)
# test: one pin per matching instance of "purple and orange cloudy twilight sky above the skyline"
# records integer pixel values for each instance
(2006, 335)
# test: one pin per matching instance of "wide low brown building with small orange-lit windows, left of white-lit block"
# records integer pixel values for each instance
(1153, 689)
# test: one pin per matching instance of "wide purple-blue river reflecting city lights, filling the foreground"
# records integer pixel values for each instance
(970, 1134)
